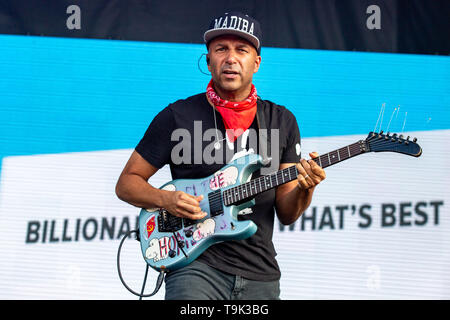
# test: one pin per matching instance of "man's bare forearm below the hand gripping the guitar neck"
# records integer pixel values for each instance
(293, 203)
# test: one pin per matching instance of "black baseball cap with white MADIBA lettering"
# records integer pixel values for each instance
(238, 24)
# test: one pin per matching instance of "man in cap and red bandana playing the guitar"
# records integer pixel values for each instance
(244, 269)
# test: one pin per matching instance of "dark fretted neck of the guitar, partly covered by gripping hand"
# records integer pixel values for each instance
(261, 184)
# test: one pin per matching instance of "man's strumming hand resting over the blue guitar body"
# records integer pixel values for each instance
(183, 205)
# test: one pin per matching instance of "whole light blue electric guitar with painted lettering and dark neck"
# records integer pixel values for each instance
(169, 242)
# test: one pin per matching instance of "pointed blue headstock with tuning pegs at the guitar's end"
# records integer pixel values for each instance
(379, 142)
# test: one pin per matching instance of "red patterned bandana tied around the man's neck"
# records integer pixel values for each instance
(236, 115)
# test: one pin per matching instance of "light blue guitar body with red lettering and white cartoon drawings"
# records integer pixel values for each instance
(169, 243)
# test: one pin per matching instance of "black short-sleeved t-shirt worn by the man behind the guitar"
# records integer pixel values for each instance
(192, 121)
